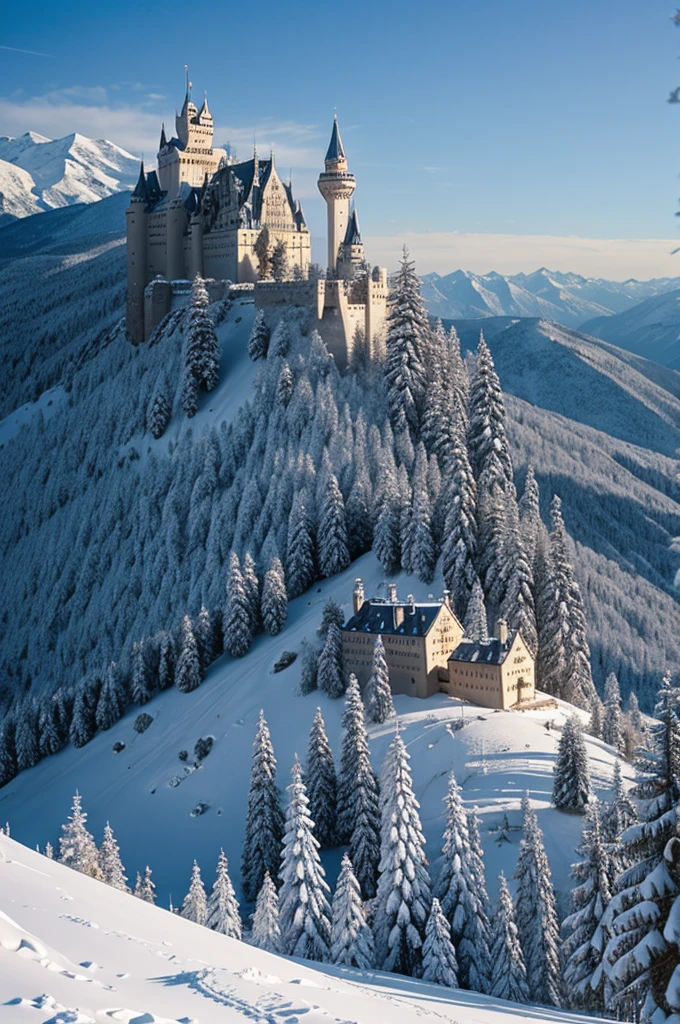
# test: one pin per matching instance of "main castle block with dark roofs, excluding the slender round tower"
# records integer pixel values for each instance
(202, 212)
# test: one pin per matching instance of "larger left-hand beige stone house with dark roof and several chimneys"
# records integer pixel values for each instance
(418, 638)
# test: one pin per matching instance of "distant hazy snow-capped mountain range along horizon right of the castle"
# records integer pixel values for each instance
(568, 298)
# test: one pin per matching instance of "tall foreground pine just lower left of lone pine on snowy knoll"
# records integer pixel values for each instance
(537, 915)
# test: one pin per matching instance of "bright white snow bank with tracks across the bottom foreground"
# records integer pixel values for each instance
(100, 957)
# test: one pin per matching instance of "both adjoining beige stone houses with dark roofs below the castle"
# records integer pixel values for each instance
(428, 653)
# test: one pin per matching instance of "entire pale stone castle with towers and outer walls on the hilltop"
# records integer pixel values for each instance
(203, 212)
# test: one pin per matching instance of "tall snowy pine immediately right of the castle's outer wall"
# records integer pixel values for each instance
(407, 348)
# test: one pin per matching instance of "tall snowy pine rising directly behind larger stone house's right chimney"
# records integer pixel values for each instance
(459, 498)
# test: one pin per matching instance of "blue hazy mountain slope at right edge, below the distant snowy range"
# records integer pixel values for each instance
(651, 329)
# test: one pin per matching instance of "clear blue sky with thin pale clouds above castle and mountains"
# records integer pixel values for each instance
(490, 136)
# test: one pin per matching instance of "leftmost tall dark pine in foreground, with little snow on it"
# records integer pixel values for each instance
(265, 822)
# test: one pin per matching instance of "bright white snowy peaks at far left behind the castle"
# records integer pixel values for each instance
(38, 175)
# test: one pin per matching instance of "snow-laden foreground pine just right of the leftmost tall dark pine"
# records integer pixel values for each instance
(305, 911)
